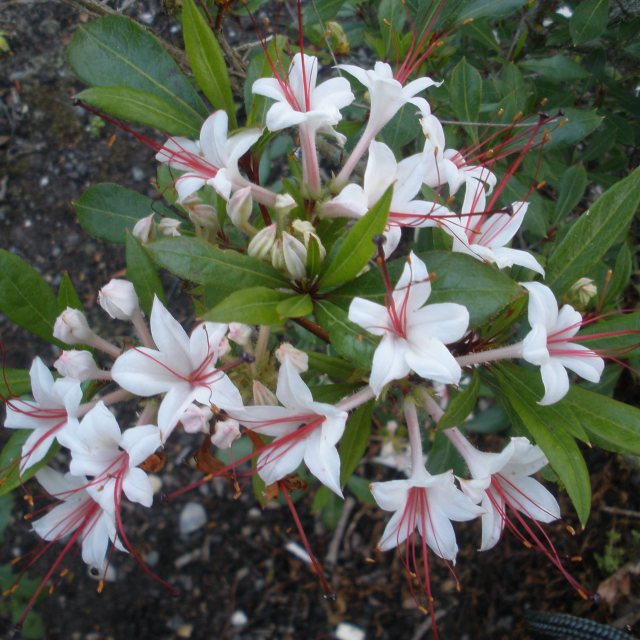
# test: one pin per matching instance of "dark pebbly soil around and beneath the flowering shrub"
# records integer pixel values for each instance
(235, 576)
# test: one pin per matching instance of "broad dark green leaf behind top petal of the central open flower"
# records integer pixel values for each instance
(482, 288)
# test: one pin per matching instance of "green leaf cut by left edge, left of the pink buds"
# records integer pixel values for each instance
(26, 298)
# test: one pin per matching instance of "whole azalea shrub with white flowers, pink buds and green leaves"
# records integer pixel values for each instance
(365, 246)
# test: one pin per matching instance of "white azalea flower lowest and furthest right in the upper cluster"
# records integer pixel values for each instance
(484, 236)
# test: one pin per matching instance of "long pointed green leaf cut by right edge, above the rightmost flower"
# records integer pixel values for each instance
(593, 233)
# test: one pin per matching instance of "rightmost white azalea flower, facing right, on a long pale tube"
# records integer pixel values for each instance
(551, 344)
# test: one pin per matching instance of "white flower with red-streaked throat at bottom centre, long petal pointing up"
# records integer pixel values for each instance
(303, 430)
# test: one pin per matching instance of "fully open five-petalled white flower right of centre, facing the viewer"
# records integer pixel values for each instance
(413, 335)
